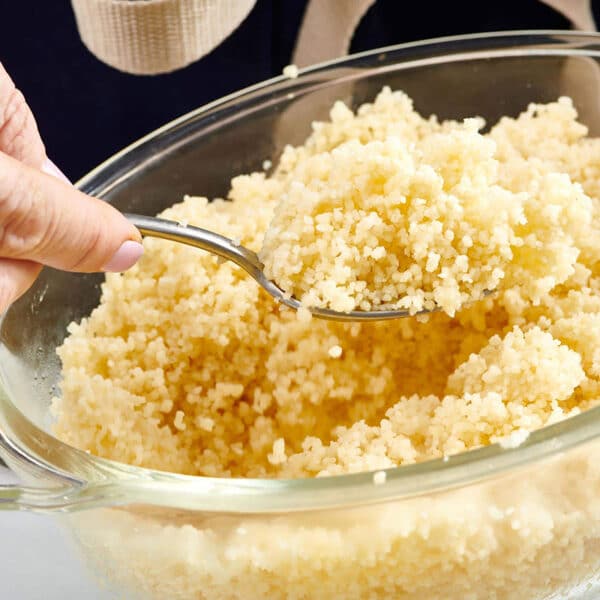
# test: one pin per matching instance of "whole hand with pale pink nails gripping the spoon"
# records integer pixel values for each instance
(44, 220)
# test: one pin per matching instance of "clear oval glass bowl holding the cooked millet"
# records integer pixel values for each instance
(490, 523)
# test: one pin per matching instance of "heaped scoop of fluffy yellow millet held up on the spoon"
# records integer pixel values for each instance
(418, 223)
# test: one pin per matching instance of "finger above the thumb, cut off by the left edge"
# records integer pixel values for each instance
(19, 136)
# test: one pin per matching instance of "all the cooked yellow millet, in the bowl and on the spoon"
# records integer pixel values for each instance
(184, 339)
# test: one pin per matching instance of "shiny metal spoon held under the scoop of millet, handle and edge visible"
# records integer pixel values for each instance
(249, 261)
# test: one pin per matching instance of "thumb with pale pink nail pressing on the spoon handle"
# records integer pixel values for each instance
(47, 221)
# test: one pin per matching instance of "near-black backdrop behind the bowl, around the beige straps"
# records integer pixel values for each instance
(86, 110)
